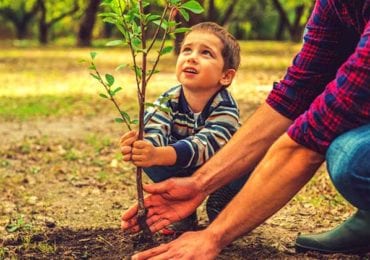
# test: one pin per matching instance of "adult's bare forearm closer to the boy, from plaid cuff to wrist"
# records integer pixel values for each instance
(242, 153)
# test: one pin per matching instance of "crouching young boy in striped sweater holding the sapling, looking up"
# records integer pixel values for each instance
(203, 115)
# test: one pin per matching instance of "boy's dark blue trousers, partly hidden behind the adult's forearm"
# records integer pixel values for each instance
(161, 173)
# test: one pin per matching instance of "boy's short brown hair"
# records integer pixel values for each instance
(231, 48)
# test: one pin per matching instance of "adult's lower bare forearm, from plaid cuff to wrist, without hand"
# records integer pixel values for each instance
(285, 169)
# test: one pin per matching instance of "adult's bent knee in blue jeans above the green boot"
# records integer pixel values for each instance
(348, 162)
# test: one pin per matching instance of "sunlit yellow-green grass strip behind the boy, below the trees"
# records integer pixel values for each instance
(52, 82)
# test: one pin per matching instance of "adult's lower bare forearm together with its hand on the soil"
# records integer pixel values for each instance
(284, 170)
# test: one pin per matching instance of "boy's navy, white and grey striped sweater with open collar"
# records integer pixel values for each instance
(195, 138)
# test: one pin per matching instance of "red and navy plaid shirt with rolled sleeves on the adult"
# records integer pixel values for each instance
(327, 88)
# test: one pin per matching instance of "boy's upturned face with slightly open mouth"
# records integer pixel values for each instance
(200, 63)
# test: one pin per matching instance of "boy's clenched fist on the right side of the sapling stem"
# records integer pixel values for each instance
(144, 154)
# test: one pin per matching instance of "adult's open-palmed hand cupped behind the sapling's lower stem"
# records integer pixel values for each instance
(169, 201)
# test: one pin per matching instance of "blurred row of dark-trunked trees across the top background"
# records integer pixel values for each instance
(77, 20)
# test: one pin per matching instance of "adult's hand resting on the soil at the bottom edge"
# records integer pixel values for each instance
(190, 245)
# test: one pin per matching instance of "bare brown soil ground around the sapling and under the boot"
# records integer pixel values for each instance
(63, 188)
